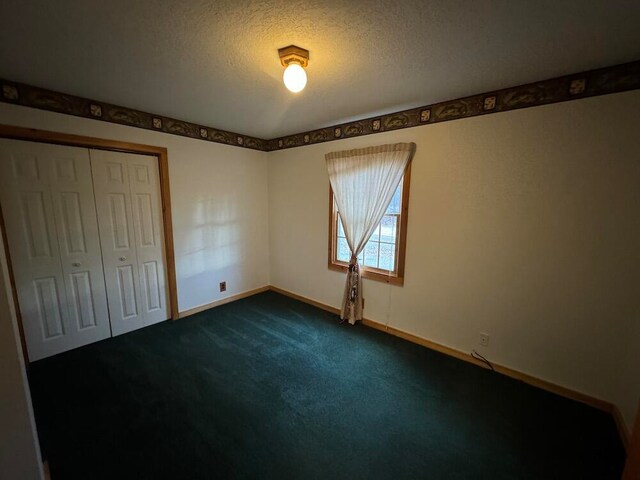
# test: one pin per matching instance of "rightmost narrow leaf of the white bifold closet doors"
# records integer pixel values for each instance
(147, 220)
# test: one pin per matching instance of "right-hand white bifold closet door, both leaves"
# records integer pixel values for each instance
(127, 189)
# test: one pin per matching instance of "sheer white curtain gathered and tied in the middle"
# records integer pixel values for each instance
(363, 182)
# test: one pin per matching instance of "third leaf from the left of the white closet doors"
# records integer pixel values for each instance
(117, 237)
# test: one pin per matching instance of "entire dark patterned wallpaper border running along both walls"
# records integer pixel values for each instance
(618, 78)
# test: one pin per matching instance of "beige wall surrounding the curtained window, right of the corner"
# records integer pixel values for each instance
(522, 224)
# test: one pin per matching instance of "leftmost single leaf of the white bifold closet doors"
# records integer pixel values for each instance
(33, 246)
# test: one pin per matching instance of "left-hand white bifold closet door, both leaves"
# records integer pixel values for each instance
(48, 206)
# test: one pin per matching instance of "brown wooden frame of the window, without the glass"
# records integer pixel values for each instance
(394, 278)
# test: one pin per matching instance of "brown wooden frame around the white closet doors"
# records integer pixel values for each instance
(45, 136)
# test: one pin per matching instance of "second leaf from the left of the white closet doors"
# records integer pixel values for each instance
(81, 258)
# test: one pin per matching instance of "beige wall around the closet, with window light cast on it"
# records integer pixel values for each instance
(219, 204)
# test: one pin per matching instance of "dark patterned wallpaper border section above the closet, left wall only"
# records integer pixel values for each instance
(28, 96)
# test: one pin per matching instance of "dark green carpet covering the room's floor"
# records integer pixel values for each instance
(268, 387)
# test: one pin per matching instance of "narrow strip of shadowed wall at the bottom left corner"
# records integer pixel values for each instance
(19, 450)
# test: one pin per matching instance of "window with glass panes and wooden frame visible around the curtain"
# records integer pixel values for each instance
(383, 256)
